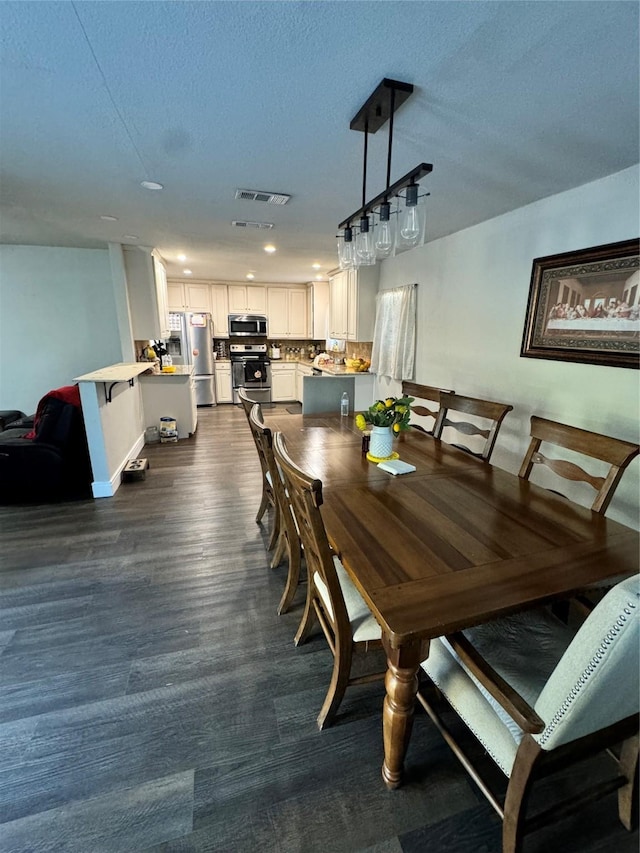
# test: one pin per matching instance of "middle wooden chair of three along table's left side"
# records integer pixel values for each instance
(288, 541)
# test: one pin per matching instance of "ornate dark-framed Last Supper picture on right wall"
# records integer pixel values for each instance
(585, 306)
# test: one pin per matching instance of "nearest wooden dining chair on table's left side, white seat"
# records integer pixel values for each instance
(332, 599)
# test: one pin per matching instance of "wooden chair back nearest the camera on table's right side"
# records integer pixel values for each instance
(613, 451)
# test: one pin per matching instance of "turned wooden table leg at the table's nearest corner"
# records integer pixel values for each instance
(401, 682)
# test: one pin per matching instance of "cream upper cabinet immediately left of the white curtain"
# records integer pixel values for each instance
(352, 304)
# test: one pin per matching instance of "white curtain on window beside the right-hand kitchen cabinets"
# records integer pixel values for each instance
(394, 336)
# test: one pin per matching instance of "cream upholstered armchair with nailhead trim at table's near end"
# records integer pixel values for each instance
(540, 697)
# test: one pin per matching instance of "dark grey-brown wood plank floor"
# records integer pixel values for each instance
(152, 700)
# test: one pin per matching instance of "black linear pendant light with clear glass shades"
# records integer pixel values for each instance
(379, 230)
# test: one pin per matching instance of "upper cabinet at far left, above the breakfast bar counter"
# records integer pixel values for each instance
(147, 291)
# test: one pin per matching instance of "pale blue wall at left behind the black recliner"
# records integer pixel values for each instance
(58, 320)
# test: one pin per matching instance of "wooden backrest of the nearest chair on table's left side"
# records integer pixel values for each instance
(305, 494)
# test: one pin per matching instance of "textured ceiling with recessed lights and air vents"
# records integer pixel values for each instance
(513, 101)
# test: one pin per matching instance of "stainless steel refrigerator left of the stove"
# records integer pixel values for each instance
(191, 342)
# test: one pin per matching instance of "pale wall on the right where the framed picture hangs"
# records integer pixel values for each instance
(472, 299)
